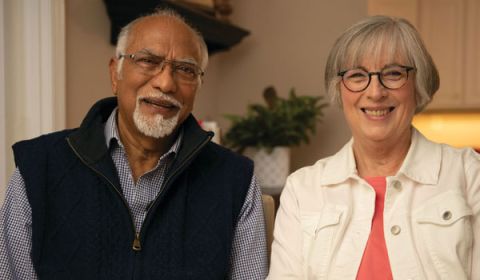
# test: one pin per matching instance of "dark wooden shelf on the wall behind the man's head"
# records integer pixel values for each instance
(219, 35)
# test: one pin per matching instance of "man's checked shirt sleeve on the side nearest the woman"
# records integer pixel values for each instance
(249, 258)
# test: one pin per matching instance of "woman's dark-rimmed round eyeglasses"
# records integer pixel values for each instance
(391, 77)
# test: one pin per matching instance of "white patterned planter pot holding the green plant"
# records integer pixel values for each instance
(271, 169)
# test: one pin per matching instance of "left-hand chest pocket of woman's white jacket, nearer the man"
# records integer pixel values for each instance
(319, 232)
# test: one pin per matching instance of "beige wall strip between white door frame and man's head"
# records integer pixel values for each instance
(88, 54)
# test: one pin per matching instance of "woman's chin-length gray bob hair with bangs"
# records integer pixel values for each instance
(376, 37)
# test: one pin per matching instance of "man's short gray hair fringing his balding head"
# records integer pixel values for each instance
(125, 31)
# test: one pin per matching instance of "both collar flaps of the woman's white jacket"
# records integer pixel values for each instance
(422, 163)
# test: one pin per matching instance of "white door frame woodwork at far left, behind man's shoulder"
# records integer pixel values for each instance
(36, 79)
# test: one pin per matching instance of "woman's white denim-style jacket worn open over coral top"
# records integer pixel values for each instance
(431, 217)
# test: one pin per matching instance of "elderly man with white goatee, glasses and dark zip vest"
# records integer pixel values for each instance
(138, 191)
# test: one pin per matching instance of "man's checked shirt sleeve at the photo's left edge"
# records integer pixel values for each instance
(16, 232)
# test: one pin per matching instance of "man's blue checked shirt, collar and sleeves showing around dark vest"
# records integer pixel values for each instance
(248, 258)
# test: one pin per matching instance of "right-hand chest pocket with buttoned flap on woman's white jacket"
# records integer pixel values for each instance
(444, 225)
